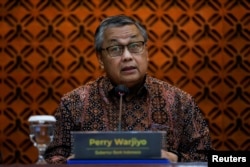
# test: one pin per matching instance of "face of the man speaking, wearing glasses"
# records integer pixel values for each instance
(129, 68)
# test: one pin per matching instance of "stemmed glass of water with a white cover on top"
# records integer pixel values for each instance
(41, 133)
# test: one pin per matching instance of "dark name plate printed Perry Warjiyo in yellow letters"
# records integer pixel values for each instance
(117, 145)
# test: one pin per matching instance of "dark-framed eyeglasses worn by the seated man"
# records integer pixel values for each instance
(117, 50)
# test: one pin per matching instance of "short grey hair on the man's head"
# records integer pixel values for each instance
(116, 21)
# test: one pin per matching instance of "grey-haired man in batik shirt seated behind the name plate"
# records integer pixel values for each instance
(121, 47)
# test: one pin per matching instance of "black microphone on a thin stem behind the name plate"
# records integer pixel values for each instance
(121, 90)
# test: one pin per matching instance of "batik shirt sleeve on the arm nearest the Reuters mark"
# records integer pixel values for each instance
(195, 140)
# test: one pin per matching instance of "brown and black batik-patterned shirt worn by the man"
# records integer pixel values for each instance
(156, 106)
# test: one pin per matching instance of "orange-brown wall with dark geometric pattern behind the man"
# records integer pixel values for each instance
(46, 50)
